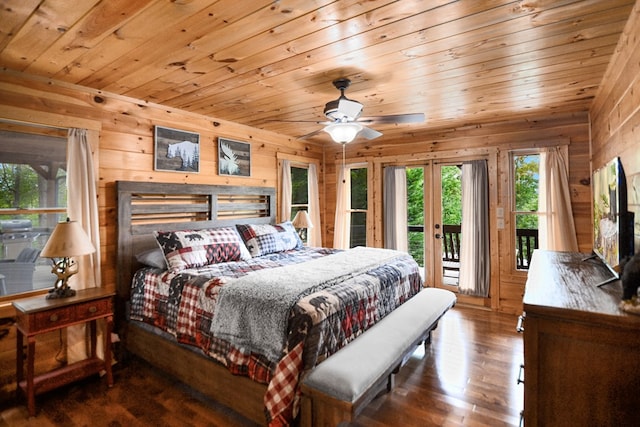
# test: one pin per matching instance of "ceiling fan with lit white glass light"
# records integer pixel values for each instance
(344, 122)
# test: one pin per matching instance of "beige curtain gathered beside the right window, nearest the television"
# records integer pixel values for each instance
(556, 229)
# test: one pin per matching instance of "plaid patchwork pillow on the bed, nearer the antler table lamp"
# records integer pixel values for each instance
(197, 248)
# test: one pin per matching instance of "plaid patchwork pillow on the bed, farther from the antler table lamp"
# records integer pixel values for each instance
(263, 239)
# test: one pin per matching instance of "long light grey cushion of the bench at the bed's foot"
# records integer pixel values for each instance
(351, 371)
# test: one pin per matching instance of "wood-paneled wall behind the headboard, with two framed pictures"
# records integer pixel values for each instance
(126, 146)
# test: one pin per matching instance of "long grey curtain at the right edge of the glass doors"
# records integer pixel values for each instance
(474, 248)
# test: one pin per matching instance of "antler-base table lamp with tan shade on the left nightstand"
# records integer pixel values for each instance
(67, 240)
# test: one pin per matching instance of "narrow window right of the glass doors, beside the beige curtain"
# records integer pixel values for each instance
(526, 178)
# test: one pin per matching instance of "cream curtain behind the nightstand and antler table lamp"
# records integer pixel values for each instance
(82, 206)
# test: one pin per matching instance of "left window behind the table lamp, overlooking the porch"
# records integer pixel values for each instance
(33, 199)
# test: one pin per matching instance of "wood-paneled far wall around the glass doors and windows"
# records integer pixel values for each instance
(487, 140)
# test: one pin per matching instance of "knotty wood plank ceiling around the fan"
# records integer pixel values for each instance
(270, 64)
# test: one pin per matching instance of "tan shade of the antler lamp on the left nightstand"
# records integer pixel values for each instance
(68, 239)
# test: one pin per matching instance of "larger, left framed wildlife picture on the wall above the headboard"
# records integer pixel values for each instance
(176, 150)
